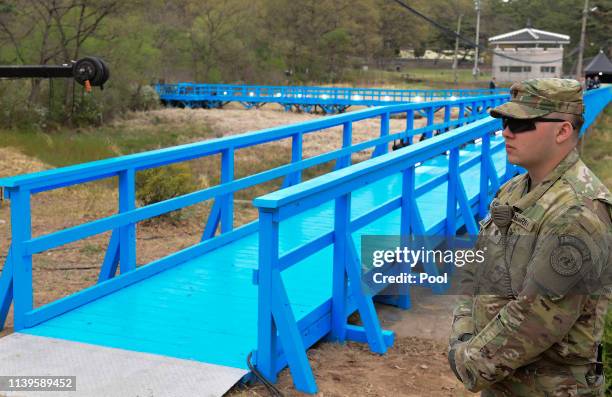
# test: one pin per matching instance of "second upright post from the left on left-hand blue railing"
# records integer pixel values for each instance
(127, 234)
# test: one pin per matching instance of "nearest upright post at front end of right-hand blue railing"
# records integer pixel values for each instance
(266, 330)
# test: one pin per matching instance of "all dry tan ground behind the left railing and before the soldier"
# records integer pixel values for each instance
(415, 366)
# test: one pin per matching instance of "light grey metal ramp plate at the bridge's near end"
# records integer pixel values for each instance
(109, 372)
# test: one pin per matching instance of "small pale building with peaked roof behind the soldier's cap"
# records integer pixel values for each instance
(527, 53)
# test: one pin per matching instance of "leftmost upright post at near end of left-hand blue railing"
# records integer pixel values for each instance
(21, 224)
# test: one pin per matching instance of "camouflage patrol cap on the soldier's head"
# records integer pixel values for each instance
(538, 97)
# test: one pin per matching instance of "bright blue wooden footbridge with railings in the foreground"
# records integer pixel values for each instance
(272, 287)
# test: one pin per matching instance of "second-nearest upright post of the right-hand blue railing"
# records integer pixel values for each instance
(342, 217)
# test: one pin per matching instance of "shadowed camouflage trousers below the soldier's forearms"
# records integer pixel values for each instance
(547, 379)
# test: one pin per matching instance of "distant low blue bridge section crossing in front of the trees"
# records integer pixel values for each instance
(329, 100)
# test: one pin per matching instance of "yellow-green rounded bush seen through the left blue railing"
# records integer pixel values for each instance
(163, 183)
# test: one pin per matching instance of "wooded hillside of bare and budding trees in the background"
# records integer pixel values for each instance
(256, 41)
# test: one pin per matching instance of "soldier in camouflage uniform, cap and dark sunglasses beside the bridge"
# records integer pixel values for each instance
(533, 323)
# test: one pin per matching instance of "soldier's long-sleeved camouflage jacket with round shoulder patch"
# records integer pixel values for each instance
(541, 298)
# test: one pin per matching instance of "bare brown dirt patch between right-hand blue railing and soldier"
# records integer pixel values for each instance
(416, 365)
